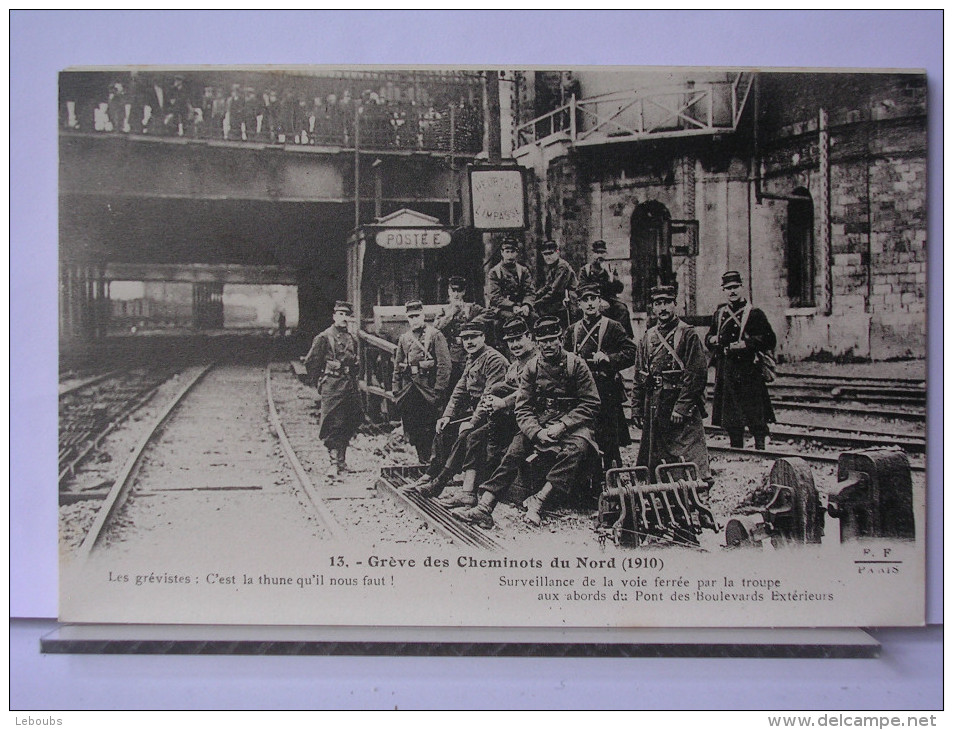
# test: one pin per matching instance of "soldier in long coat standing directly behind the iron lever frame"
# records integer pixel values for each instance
(669, 393)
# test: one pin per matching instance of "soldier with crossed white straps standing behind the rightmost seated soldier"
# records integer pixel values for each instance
(603, 344)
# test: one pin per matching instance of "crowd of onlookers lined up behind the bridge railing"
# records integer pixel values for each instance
(295, 110)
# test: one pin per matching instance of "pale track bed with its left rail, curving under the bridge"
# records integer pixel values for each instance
(206, 467)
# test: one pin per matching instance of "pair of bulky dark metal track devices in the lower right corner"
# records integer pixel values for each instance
(873, 498)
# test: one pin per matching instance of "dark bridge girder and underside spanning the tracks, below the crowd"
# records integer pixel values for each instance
(135, 207)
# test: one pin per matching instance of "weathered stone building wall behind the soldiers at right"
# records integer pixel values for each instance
(877, 218)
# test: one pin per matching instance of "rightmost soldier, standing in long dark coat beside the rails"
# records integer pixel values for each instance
(739, 332)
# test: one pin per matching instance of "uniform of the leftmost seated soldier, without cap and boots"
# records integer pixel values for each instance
(480, 376)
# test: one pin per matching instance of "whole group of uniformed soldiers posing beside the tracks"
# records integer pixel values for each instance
(550, 411)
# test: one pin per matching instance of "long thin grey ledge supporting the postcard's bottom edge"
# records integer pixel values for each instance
(836, 643)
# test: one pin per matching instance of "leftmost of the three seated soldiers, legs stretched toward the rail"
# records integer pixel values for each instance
(452, 449)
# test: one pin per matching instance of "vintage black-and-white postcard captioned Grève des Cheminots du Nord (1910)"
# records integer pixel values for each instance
(525, 347)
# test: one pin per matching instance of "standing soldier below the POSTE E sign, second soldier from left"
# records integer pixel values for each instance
(421, 375)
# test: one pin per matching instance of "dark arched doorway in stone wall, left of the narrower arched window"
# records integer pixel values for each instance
(650, 251)
